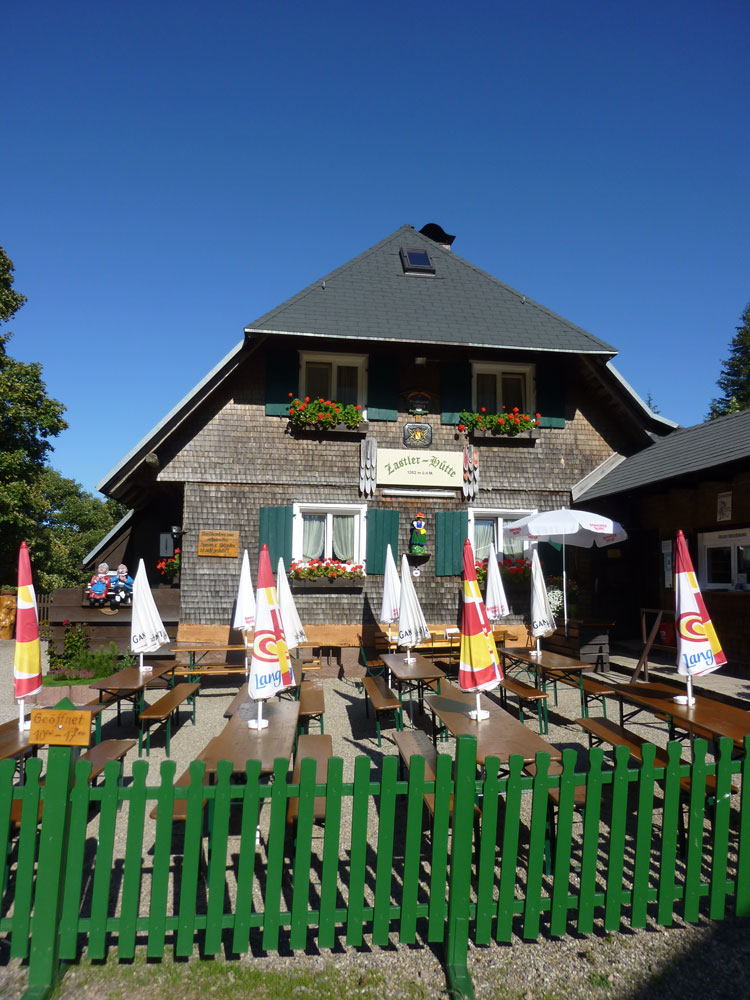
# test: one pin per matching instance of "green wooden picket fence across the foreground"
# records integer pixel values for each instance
(97, 869)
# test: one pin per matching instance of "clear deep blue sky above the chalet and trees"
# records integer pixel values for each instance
(171, 170)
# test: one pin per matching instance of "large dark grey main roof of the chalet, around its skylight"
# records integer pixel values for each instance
(371, 298)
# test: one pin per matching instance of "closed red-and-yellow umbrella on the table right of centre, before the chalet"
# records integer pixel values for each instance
(479, 668)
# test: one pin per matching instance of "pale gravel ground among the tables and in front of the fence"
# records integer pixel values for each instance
(707, 960)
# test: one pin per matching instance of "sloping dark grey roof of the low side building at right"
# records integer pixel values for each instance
(687, 450)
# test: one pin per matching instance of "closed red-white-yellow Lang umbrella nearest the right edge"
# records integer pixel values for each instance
(698, 648)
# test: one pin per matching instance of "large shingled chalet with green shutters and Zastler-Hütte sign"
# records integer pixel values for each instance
(414, 335)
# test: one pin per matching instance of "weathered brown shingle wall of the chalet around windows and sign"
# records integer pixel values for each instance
(235, 460)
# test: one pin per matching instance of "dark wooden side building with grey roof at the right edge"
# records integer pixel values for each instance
(697, 480)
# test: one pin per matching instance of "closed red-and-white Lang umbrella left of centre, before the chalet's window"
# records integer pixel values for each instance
(270, 666)
